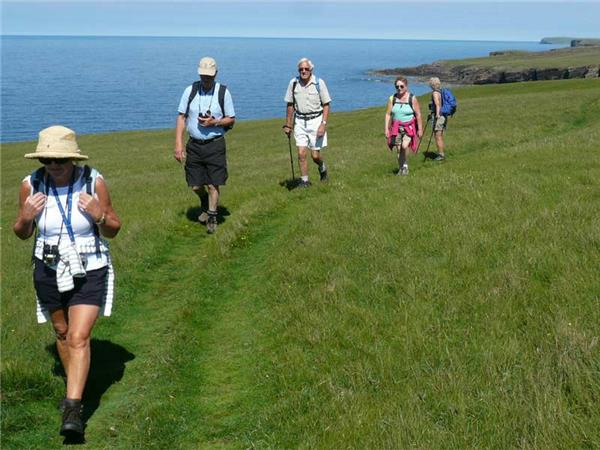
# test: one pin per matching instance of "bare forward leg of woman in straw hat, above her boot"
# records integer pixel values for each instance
(81, 321)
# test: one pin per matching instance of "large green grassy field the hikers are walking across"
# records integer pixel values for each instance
(458, 307)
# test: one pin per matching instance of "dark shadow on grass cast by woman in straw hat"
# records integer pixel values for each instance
(107, 368)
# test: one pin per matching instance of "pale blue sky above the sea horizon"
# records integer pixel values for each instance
(449, 19)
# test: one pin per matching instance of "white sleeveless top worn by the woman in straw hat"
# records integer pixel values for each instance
(51, 228)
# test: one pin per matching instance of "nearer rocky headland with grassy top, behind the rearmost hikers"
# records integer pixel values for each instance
(510, 67)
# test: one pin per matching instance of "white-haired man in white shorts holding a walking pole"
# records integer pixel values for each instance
(308, 102)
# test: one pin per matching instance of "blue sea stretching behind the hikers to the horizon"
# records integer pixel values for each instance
(105, 84)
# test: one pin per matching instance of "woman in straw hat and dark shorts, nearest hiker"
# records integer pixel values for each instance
(70, 207)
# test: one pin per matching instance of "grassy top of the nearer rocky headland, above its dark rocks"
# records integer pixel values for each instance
(520, 60)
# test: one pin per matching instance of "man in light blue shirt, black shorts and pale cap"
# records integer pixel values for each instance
(206, 111)
